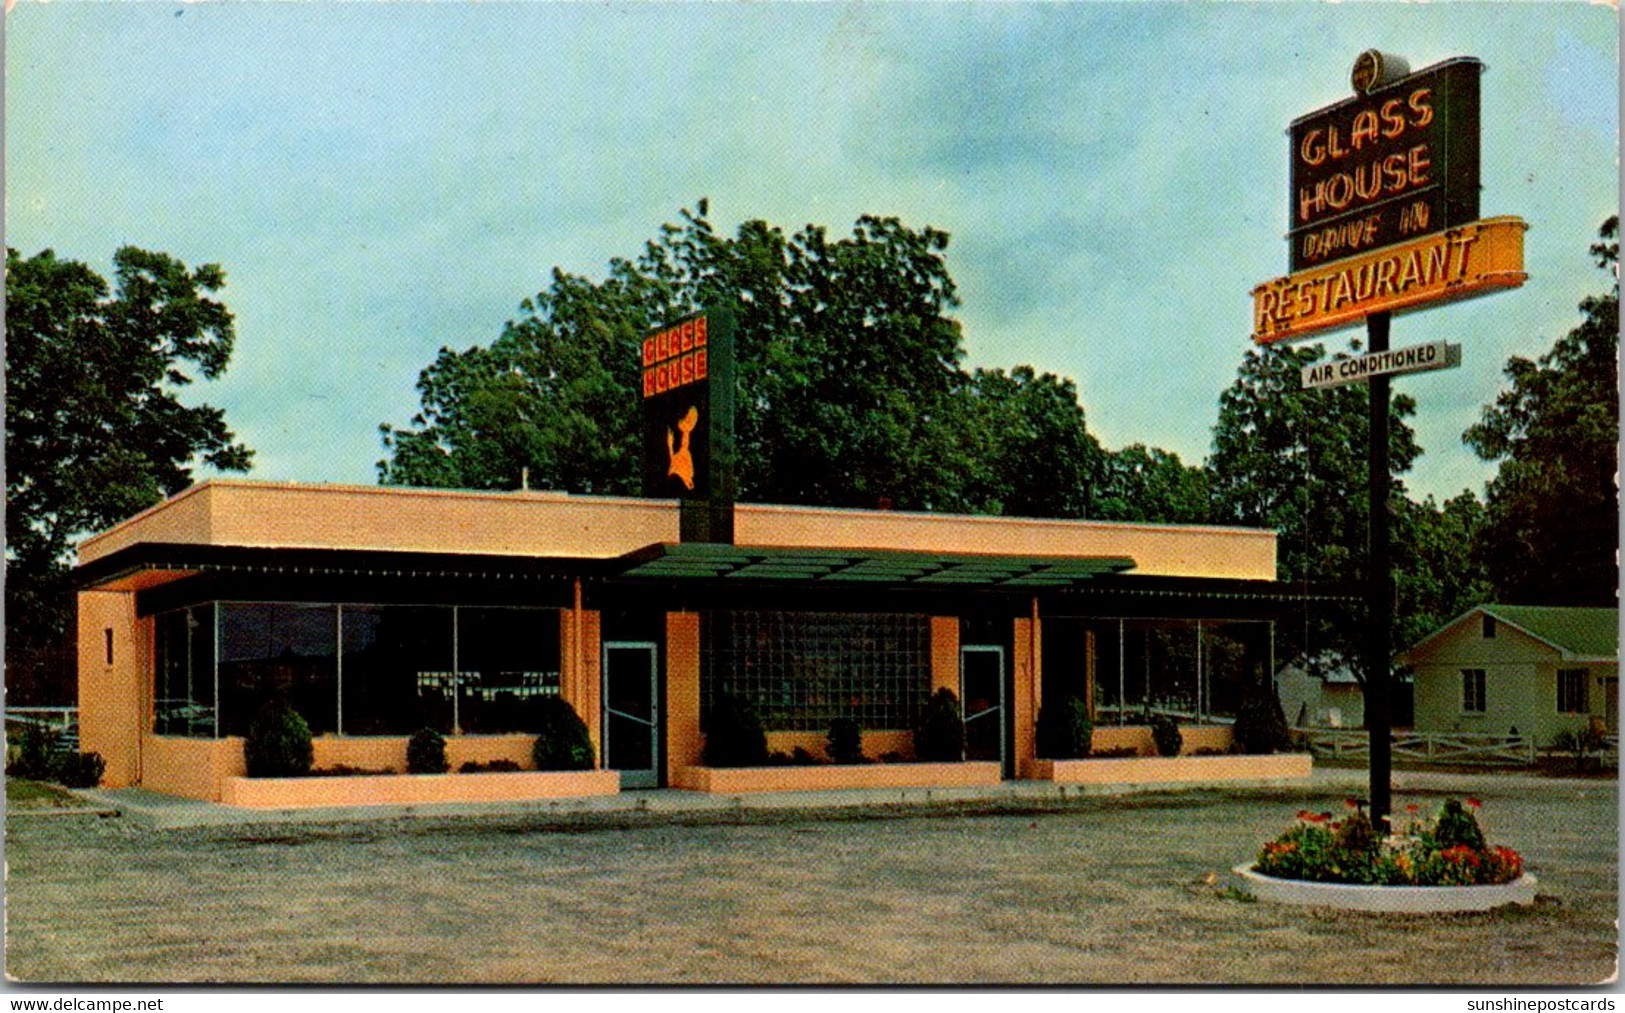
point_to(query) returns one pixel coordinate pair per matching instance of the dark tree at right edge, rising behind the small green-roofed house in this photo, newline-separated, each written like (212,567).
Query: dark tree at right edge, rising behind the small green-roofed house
(1551,533)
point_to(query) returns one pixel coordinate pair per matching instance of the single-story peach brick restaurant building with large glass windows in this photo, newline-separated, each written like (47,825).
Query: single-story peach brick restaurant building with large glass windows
(384,611)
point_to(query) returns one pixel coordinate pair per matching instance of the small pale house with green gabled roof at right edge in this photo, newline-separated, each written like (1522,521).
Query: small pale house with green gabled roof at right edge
(1527,669)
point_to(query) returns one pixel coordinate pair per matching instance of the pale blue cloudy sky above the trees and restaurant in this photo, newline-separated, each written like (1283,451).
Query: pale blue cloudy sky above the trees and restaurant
(384,180)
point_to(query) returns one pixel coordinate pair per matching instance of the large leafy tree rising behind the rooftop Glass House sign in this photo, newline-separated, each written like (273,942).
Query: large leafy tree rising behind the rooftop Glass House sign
(849,372)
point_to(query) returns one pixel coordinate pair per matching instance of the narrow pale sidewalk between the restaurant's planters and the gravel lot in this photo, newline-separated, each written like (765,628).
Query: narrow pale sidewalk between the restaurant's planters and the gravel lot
(171,812)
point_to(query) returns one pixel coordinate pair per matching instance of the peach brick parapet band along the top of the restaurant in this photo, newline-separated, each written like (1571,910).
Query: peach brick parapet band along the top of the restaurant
(560,526)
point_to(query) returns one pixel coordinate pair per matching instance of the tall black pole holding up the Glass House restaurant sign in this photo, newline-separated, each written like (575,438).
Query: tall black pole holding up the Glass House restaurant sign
(1380,591)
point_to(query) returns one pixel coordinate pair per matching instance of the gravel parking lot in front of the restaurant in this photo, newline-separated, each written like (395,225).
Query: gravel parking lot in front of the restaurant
(1107,890)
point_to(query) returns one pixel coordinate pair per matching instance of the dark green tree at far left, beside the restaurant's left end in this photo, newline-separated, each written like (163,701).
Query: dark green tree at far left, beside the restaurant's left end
(95,428)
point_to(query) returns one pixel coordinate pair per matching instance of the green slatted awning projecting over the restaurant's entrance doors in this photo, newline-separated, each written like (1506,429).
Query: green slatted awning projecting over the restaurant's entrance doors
(864,567)
